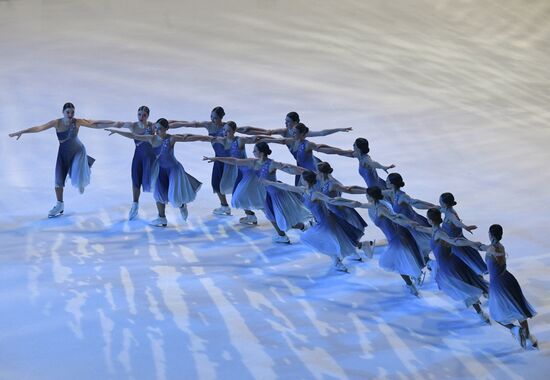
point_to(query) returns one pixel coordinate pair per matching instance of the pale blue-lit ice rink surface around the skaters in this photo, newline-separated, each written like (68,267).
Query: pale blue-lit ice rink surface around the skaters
(455,93)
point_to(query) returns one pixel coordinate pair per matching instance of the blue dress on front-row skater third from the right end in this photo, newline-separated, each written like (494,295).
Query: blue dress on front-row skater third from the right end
(402,254)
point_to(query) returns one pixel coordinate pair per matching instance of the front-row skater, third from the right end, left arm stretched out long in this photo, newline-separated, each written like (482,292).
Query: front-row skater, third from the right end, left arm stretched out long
(402,254)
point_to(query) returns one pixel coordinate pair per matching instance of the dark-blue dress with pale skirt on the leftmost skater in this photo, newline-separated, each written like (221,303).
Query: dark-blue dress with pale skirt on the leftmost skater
(72,159)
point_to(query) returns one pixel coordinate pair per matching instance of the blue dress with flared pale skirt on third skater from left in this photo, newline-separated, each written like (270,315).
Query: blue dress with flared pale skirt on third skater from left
(170,181)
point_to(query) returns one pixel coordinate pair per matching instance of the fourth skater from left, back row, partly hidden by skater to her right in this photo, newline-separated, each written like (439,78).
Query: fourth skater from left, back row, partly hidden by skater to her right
(215,129)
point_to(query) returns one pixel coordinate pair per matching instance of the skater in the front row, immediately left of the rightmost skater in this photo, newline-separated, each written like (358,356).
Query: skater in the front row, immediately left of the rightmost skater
(453,276)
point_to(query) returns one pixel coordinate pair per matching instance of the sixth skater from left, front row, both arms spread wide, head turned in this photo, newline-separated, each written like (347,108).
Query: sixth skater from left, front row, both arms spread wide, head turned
(283,210)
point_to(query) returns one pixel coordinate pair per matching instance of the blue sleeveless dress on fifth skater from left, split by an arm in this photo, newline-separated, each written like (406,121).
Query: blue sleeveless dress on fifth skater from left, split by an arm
(248,192)
